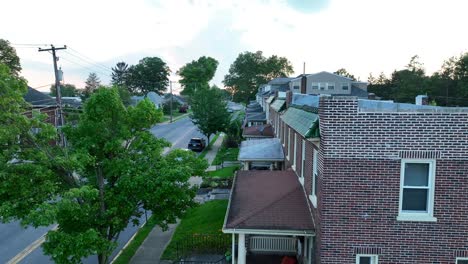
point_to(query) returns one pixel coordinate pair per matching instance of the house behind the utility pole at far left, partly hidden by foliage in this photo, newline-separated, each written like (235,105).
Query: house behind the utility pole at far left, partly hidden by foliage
(42,103)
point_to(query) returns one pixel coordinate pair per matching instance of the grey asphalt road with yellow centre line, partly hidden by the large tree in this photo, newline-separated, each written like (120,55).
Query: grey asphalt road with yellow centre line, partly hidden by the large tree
(14,239)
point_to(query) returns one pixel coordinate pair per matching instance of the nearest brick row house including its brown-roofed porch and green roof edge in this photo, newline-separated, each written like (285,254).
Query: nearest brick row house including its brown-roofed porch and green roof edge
(384,182)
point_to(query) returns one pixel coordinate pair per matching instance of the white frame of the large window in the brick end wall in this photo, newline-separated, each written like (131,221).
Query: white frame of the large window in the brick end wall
(427,216)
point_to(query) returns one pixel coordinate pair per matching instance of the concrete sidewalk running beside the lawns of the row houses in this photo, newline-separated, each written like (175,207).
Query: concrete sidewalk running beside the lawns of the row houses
(153,246)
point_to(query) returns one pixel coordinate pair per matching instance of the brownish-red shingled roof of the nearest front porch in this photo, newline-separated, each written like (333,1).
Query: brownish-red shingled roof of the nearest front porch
(268,200)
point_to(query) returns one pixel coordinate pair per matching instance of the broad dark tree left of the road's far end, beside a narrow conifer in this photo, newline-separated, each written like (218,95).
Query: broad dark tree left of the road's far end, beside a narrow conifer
(150,74)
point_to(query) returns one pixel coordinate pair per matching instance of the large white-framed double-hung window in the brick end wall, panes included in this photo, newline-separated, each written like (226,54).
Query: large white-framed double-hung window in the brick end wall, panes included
(417,190)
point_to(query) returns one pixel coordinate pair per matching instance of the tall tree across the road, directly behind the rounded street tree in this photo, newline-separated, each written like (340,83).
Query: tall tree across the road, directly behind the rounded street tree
(196,74)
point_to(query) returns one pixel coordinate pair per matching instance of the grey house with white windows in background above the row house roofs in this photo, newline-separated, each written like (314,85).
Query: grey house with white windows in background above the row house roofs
(328,83)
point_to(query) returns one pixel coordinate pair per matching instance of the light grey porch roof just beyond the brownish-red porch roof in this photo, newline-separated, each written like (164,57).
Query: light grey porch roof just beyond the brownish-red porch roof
(268,149)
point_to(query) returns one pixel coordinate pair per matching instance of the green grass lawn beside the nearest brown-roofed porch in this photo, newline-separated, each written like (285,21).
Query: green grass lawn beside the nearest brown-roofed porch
(207,218)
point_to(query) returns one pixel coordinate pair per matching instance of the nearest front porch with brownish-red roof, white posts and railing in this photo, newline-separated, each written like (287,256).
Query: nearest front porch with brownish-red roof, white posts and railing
(269,218)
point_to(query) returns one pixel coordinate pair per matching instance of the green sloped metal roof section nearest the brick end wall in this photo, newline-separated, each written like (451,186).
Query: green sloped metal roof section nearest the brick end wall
(303,122)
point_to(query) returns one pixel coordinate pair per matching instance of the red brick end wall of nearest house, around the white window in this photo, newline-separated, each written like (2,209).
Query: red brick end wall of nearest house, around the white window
(359,184)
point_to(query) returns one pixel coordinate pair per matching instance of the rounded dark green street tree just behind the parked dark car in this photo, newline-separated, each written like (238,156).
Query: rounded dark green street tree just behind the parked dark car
(209,111)
